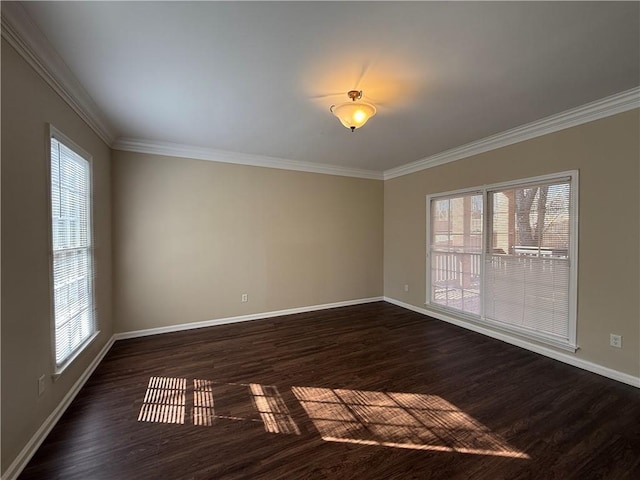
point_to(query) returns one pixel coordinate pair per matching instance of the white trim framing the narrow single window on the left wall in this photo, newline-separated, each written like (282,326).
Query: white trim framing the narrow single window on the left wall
(53,132)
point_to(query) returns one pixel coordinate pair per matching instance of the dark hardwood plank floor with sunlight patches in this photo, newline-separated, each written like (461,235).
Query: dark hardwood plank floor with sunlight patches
(365,392)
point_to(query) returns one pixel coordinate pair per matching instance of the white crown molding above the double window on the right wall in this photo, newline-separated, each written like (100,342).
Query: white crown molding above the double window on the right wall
(606,107)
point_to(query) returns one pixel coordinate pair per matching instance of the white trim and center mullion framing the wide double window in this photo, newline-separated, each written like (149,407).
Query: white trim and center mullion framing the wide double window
(571,343)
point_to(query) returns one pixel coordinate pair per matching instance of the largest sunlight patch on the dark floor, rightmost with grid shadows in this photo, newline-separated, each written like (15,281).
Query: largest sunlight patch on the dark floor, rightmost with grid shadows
(400,420)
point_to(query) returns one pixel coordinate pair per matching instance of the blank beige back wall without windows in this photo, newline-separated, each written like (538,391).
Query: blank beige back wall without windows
(191,236)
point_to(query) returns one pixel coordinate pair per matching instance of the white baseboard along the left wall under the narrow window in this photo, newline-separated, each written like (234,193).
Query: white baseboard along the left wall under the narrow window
(36,440)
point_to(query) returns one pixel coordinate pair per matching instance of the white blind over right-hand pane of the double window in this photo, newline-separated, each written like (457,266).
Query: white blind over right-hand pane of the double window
(527,267)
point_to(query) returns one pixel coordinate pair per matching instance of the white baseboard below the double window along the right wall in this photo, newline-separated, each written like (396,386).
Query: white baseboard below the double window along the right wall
(505,337)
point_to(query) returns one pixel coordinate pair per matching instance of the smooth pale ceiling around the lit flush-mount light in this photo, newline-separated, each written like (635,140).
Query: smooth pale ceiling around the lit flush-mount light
(258,78)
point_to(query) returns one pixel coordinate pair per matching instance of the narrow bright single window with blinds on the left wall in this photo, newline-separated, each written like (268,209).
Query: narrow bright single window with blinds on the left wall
(72,249)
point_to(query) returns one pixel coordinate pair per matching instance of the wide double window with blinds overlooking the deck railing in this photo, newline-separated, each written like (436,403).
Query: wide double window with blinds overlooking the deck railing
(503,255)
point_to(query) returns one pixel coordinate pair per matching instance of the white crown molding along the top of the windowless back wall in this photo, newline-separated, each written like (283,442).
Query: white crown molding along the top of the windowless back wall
(223,156)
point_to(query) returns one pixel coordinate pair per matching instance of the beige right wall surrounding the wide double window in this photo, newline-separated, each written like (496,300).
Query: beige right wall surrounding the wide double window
(607,154)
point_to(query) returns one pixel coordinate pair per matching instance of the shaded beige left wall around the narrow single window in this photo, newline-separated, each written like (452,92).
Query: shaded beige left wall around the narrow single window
(28,104)
